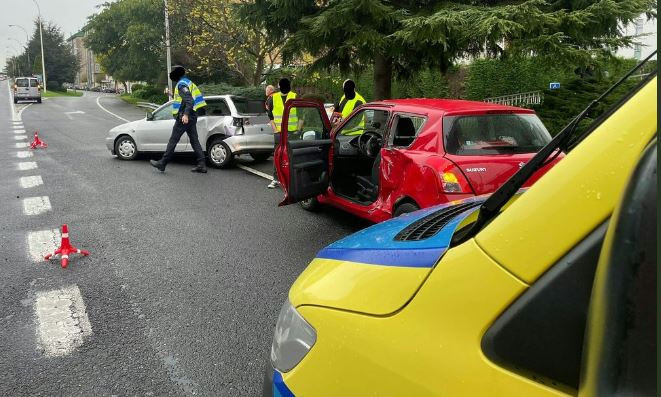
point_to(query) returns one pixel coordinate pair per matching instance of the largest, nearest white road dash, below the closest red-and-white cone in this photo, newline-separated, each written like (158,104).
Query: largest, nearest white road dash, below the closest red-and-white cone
(62,321)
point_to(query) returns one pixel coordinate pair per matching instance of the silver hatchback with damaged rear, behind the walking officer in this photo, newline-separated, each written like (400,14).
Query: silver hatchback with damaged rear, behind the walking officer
(228,126)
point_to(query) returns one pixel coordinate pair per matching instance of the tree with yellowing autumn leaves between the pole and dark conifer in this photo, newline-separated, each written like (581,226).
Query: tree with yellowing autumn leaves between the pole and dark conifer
(222,43)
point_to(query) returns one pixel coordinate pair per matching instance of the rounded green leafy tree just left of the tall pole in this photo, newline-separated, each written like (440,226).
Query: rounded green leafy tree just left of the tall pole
(128,36)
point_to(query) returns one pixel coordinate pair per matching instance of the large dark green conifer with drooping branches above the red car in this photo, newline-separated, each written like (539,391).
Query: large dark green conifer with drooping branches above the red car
(400,37)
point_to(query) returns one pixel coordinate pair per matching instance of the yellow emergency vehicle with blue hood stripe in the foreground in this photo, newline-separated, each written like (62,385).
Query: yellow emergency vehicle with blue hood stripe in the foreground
(546,293)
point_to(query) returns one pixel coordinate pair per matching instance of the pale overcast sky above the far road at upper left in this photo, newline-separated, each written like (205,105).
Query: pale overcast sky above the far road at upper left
(69,15)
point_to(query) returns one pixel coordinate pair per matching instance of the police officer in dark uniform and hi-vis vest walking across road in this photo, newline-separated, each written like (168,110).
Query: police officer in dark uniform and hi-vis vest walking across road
(188,101)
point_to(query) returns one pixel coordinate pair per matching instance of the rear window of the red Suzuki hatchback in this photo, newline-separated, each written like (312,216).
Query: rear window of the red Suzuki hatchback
(494,134)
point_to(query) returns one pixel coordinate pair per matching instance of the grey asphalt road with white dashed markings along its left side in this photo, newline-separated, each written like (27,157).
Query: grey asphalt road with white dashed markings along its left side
(186,275)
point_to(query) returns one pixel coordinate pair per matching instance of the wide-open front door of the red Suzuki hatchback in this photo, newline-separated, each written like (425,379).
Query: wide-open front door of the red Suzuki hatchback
(302,158)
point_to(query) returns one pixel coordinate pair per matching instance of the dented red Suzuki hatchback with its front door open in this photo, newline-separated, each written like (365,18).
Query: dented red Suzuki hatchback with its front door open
(397,156)
